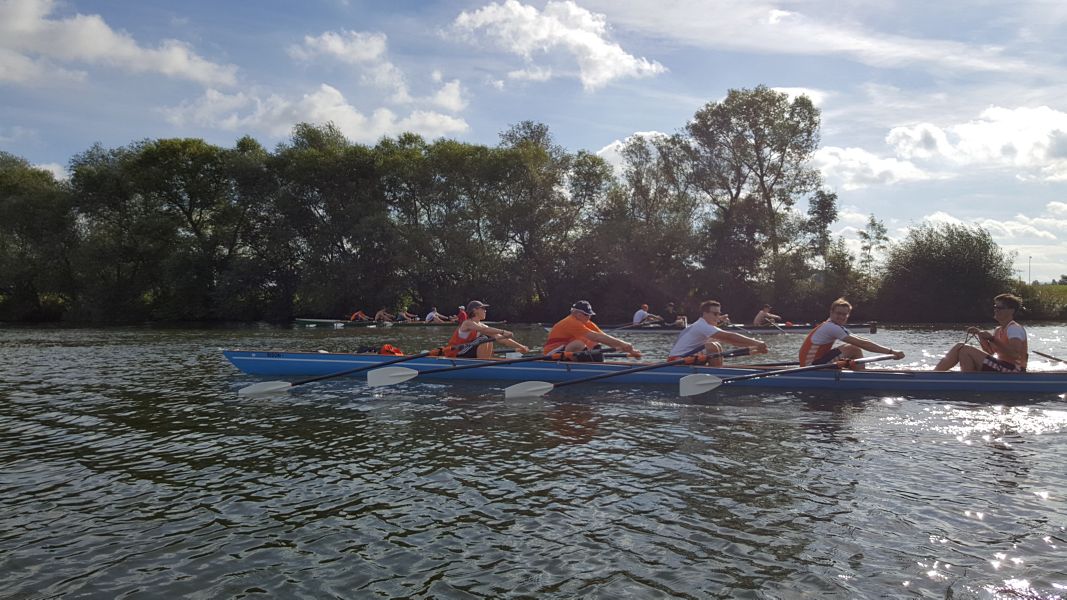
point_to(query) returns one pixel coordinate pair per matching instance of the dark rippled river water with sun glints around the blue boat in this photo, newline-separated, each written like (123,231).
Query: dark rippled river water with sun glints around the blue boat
(130,468)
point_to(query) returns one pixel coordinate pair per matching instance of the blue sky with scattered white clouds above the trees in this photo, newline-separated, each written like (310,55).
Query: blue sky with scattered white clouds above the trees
(932,113)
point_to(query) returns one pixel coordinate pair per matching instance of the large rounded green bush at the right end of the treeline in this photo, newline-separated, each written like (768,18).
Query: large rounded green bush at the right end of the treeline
(946,274)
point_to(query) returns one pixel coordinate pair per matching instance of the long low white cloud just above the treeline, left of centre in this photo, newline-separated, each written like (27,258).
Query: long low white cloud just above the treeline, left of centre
(276,116)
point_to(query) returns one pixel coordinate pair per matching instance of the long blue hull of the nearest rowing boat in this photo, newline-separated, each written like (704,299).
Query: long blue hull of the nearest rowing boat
(306,365)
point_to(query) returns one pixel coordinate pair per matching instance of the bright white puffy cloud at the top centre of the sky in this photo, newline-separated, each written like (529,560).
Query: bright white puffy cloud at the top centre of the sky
(563,27)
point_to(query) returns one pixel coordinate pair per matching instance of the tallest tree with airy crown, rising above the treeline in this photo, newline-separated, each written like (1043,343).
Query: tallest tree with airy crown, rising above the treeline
(752,163)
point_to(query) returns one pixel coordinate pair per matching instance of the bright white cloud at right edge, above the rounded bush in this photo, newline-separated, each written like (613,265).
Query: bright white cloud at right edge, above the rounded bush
(1032,140)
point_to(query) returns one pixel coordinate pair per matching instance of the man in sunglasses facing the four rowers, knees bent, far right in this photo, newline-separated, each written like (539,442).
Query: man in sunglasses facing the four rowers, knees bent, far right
(1004,351)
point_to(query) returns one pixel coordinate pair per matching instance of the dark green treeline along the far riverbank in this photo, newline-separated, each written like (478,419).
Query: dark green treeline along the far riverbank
(727,209)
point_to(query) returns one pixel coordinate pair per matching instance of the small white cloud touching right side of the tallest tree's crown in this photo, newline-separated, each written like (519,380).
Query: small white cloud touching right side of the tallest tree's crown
(854,169)
